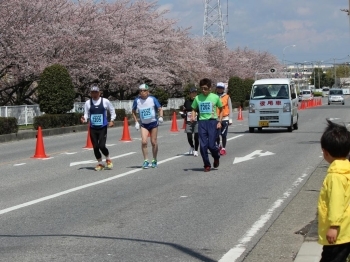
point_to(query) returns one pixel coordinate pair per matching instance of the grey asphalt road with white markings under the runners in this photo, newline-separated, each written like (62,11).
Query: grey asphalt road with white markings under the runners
(60,209)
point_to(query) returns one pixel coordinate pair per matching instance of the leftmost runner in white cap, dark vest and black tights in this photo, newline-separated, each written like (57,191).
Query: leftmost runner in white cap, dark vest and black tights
(95,110)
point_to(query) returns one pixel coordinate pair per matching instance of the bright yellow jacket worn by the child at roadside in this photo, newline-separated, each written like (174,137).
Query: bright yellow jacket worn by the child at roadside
(333,202)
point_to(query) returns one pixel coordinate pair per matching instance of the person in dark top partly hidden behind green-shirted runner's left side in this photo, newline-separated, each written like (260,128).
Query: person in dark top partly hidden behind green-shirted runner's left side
(191,127)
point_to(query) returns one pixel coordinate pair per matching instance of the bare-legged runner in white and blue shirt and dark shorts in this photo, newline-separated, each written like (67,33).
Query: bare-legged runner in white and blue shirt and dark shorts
(148,108)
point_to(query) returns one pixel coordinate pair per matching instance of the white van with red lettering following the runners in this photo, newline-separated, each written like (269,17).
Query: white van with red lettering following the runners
(273,103)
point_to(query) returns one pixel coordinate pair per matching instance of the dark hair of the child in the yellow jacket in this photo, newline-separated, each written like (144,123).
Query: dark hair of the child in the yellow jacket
(336,140)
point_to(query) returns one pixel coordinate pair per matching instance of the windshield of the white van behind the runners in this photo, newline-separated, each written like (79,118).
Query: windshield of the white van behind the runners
(270,92)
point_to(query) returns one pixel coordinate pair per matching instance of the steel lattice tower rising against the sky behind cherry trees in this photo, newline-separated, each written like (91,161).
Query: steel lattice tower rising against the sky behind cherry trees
(213,22)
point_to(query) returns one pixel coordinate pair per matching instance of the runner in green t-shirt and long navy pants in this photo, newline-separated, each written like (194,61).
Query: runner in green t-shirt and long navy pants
(209,123)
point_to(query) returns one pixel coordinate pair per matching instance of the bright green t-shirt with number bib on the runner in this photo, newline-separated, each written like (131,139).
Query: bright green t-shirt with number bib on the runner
(206,105)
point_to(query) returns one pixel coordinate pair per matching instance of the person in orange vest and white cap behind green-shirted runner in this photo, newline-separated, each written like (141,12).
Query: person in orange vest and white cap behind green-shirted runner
(226,116)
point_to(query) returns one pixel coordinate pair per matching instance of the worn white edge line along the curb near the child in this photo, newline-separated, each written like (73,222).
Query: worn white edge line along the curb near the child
(234,253)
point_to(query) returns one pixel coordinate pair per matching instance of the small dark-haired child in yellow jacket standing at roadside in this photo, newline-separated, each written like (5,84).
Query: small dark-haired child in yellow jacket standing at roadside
(334,199)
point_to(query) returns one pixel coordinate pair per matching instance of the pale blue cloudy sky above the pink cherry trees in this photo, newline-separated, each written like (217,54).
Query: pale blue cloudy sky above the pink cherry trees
(318,28)
